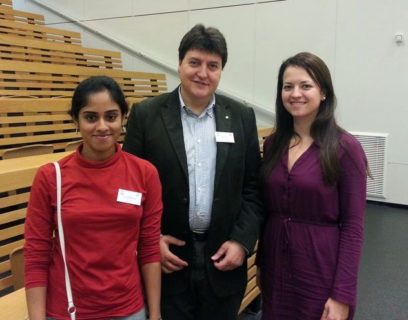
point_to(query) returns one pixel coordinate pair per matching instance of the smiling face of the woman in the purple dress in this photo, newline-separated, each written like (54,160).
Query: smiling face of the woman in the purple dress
(301,95)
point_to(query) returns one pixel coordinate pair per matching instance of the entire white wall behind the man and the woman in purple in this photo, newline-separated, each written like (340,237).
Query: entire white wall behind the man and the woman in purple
(355,38)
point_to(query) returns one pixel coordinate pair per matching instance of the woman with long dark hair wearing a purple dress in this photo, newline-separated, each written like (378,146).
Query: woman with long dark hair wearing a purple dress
(314,178)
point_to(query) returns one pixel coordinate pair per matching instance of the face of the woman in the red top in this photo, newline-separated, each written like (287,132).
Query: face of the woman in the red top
(100,124)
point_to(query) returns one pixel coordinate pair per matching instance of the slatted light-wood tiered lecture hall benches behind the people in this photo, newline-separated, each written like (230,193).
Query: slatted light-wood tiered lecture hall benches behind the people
(40,67)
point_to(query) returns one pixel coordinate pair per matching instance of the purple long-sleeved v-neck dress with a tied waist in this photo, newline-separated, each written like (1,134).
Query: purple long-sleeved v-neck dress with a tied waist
(312,239)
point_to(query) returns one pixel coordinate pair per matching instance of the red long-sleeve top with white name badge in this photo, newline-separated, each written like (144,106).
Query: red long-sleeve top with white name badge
(106,240)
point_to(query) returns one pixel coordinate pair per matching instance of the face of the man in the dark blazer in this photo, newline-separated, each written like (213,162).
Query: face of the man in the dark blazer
(200,74)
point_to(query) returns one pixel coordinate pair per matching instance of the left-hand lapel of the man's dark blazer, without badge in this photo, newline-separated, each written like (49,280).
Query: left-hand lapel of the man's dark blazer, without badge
(172,121)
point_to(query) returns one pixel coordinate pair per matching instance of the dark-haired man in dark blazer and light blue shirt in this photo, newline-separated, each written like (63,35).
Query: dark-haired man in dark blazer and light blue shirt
(205,147)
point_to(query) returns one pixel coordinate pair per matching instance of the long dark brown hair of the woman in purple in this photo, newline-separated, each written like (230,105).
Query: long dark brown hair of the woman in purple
(324,129)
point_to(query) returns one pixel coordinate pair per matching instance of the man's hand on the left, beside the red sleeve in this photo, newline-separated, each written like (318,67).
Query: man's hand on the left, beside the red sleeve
(169,261)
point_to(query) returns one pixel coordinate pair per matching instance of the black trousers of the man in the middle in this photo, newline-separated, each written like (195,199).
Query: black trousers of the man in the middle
(199,301)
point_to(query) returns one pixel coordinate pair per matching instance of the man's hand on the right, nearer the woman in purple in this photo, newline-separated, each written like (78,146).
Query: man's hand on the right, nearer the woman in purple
(229,256)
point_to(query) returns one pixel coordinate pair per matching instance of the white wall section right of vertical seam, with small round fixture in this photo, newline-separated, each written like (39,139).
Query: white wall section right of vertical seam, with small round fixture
(372,80)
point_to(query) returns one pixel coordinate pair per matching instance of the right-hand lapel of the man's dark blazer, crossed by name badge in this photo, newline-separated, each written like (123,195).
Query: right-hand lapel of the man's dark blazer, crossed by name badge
(223,124)
